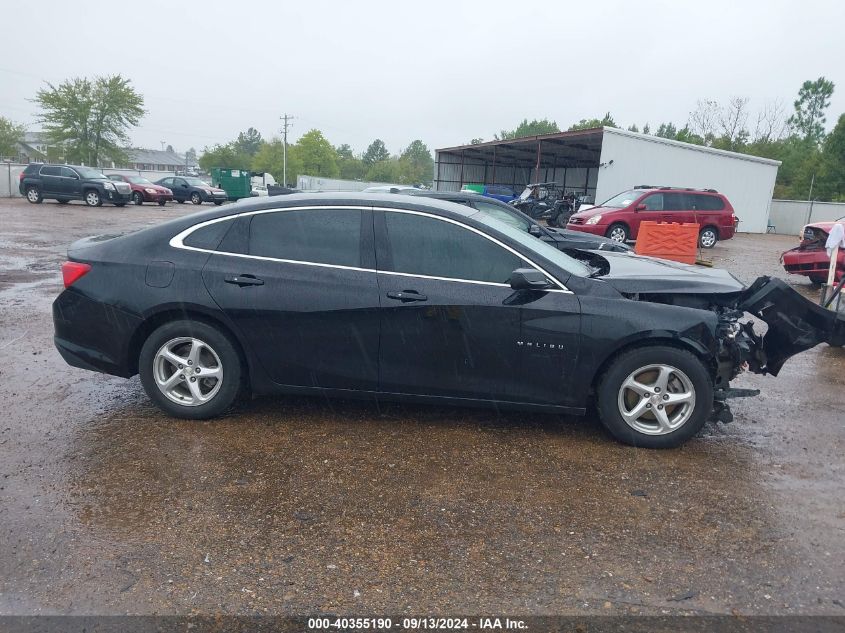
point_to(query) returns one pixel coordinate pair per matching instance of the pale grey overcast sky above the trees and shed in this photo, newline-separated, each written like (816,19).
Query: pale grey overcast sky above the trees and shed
(444,72)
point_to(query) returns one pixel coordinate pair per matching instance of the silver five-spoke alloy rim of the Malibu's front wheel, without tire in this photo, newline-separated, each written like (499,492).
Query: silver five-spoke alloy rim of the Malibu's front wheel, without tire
(656,399)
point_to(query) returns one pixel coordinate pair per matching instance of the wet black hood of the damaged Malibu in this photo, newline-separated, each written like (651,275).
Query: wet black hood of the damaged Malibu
(631,273)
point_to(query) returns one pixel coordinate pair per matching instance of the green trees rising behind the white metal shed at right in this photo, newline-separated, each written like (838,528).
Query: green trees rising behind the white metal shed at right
(809,157)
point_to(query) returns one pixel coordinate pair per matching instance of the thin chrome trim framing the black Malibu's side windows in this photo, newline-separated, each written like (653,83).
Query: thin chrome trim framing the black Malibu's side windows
(177,241)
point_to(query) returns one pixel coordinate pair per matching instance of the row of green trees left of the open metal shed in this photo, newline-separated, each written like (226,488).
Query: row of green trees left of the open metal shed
(314,155)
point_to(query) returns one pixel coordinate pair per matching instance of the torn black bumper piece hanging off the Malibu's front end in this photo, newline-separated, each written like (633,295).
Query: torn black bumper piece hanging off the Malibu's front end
(795,323)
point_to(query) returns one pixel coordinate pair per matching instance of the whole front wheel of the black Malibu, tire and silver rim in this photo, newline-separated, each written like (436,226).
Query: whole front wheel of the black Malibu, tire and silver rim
(682,373)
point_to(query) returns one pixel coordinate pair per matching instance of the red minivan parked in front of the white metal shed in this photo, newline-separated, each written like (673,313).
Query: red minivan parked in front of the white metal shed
(619,218)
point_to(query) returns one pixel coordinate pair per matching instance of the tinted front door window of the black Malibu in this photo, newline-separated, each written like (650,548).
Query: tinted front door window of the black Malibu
(421,245)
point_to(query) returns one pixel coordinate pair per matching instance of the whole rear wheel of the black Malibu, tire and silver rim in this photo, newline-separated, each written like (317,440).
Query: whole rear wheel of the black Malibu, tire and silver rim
(201,346)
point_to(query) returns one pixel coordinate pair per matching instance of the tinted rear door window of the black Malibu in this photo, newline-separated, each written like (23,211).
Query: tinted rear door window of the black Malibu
(320,236)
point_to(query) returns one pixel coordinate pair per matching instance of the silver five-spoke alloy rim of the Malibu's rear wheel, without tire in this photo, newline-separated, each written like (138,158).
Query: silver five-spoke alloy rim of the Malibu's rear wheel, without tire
(188,371)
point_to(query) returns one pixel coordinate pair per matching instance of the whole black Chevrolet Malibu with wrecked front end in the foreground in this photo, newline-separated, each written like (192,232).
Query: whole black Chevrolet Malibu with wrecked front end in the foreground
(413,299)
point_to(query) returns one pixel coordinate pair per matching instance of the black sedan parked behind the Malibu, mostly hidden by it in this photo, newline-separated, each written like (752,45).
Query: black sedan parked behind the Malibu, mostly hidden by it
(562,239)
